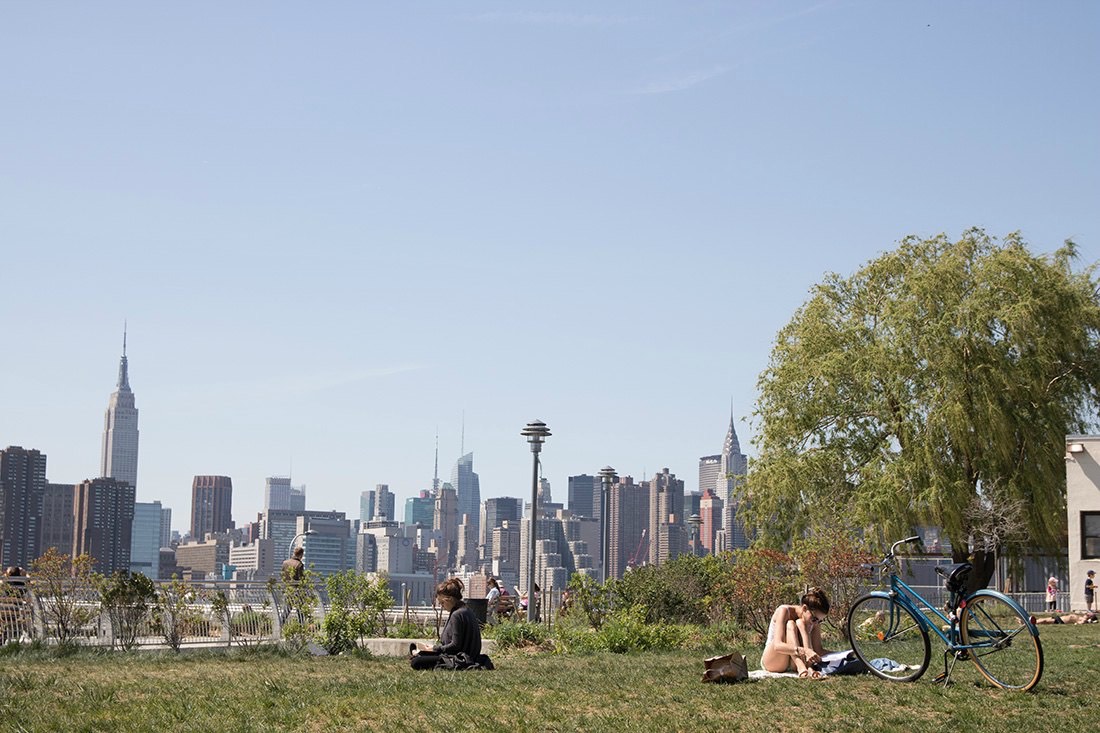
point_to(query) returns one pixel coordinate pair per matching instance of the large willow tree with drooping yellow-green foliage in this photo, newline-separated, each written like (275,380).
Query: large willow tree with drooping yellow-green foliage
(932,388)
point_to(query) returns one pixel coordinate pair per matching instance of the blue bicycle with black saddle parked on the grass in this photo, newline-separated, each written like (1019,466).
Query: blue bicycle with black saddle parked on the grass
(889,631)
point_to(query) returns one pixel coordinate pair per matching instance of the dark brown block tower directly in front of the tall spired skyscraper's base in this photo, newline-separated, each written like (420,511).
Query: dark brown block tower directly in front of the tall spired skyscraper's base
(103,523)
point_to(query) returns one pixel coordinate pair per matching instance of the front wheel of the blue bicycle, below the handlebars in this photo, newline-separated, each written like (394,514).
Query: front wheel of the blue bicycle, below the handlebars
(888,639)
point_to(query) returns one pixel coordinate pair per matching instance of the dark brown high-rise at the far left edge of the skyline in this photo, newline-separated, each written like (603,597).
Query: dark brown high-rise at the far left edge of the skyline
(23,494)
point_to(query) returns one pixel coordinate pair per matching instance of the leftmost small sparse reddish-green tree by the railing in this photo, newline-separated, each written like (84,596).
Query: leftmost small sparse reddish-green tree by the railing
(67,594)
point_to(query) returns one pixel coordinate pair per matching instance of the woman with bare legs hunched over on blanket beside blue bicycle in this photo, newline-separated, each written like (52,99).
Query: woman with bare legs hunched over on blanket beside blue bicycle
(795,637)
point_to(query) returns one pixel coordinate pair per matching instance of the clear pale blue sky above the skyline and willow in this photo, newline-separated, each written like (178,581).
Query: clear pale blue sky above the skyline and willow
(336,227)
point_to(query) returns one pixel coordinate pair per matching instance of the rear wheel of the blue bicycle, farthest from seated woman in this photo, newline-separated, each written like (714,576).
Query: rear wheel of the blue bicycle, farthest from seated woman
(1004,646)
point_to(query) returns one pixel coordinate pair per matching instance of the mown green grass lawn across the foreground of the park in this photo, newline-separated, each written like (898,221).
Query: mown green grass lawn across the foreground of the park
(270,692)
